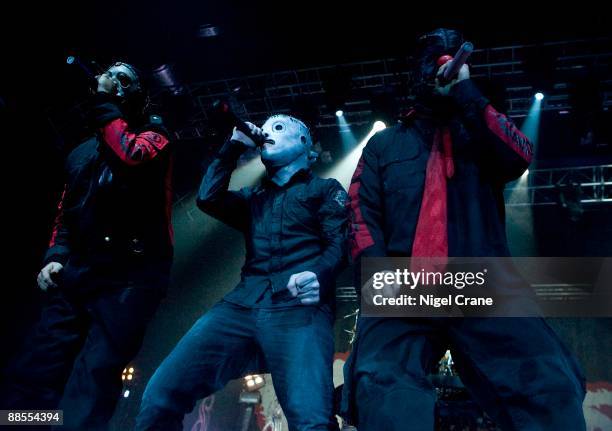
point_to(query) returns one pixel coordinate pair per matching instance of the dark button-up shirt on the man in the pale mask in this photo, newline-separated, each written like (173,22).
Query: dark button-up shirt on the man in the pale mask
(298,227)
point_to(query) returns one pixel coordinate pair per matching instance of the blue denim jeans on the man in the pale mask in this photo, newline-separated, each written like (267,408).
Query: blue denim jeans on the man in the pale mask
(295,344)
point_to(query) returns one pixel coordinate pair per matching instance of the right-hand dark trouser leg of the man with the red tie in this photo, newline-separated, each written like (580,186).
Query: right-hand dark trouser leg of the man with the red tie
(520,372)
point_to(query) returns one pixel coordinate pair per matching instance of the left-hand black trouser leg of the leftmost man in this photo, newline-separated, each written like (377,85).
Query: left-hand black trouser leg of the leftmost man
(37,376)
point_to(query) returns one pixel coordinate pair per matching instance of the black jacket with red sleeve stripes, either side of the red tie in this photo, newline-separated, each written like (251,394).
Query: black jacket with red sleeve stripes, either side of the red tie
(387,188)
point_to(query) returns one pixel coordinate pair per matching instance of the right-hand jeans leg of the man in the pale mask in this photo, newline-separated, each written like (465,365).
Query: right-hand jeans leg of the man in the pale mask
(298,345)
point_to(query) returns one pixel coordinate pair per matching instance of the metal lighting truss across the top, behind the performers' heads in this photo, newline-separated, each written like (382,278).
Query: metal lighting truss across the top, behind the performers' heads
(257,96)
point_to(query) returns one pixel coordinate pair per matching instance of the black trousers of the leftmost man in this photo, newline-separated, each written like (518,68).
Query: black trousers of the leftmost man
(75,357)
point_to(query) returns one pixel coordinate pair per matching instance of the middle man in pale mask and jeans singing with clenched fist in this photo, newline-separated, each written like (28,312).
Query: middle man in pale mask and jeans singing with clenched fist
(279,317)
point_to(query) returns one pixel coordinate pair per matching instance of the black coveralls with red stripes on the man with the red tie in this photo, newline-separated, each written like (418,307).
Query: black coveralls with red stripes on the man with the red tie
(516,368)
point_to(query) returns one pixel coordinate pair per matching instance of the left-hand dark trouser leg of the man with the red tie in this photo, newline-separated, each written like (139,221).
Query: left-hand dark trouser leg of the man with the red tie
(386,381)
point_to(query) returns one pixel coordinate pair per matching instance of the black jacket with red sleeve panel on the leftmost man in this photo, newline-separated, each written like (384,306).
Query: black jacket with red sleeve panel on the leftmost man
(113,219)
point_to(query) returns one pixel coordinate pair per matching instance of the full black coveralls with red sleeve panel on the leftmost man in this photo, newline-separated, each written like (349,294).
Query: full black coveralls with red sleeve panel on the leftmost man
(114,238)
